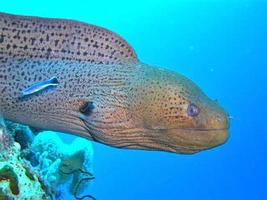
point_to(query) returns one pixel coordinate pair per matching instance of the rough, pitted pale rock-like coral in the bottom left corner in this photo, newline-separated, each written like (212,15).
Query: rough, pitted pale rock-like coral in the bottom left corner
(16,182)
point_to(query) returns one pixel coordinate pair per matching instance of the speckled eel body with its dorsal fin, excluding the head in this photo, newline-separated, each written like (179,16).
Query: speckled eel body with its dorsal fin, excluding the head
(88,61)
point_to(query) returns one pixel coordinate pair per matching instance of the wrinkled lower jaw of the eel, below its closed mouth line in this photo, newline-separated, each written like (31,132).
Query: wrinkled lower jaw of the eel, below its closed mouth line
(181,141)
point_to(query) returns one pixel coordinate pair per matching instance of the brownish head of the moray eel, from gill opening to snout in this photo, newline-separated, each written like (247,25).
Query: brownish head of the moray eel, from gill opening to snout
(163,111)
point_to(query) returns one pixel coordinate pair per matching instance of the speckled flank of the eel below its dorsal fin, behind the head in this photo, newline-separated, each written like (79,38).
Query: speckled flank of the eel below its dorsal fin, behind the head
(79,82)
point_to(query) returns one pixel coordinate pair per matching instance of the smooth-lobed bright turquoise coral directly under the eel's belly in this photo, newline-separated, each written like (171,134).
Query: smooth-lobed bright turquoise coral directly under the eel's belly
(62,165)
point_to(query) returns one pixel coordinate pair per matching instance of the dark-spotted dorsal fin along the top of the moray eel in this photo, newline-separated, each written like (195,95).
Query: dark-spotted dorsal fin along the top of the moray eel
(62,39)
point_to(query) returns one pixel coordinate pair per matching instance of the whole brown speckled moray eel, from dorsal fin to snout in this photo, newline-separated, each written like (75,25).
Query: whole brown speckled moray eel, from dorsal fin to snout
(104,92)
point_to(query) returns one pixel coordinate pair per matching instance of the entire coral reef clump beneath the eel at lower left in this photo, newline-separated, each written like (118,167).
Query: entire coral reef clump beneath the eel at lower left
(42,166)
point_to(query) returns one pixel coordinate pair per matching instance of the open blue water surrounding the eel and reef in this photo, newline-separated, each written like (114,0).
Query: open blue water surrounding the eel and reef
(223,48)
